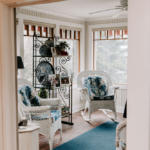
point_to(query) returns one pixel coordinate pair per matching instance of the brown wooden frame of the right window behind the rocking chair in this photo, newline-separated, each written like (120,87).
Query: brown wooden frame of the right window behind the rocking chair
(122,38)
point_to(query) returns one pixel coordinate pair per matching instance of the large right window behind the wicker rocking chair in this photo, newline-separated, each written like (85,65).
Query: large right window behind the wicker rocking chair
(110,53)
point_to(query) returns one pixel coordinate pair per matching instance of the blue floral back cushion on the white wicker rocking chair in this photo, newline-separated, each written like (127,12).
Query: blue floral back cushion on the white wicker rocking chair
(96,86)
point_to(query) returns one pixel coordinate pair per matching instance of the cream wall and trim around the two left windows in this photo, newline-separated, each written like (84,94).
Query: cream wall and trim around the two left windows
(27,14)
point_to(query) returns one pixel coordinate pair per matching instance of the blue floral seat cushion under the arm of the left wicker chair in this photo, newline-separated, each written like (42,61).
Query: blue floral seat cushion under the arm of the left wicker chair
(55,114)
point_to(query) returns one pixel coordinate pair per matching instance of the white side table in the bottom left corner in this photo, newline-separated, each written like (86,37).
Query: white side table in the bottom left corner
(29,137)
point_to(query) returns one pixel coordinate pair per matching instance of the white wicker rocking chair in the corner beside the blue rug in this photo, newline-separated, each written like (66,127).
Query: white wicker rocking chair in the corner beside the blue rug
(94,105)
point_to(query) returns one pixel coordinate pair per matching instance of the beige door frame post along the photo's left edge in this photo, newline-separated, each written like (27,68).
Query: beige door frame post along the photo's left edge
(8,76)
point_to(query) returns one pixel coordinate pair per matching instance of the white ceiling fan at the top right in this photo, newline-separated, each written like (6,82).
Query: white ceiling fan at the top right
(122,8)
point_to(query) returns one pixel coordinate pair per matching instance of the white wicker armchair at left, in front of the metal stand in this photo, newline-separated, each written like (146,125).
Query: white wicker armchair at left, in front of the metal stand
(47,126)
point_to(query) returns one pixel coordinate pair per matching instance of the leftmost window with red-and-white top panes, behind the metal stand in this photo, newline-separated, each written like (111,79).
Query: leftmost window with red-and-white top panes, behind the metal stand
(29,31)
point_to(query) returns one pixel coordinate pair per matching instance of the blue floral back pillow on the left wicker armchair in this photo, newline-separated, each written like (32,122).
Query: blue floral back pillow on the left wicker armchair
(28,97)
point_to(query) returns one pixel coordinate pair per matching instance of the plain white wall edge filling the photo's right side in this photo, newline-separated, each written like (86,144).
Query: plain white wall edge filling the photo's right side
(138,96)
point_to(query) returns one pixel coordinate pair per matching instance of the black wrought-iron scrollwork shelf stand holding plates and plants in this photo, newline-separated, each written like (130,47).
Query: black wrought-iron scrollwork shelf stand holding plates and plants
(65,91)
